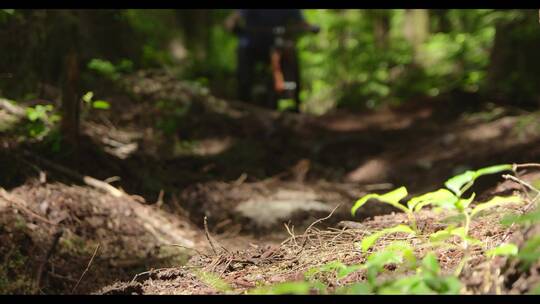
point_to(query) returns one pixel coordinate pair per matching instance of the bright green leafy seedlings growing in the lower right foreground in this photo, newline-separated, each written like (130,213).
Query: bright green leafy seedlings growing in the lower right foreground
(427,278)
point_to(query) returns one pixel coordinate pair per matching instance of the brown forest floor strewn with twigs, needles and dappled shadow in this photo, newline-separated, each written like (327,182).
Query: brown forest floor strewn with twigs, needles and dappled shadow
(233,190)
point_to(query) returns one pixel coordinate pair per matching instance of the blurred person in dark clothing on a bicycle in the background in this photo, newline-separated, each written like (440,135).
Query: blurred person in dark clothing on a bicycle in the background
(256,31)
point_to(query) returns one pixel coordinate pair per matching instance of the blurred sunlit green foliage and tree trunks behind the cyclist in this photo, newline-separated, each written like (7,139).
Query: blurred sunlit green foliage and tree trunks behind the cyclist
(360,59)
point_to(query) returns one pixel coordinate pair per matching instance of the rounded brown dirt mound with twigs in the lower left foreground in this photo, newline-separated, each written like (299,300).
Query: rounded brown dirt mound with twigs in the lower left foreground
(130,236)
